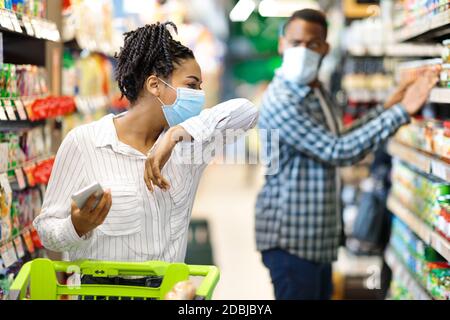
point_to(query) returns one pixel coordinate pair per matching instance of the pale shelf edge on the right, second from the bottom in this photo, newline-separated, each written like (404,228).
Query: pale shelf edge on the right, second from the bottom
(420,228)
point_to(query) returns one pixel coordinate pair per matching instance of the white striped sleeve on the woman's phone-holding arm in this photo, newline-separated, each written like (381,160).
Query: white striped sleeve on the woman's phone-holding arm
(54,224)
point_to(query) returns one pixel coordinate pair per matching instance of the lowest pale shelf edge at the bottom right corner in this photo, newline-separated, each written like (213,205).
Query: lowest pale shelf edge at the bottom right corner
(406,277)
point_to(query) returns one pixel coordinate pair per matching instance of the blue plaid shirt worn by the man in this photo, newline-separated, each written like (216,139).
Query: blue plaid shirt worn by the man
(297,208)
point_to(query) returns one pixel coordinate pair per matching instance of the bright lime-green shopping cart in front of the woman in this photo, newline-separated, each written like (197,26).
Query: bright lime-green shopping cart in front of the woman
(37,280)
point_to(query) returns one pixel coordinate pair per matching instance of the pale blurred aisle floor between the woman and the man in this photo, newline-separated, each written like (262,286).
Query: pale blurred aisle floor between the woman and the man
(226,197)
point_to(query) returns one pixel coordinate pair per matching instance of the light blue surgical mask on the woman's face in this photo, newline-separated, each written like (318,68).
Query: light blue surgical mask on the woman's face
(189,103)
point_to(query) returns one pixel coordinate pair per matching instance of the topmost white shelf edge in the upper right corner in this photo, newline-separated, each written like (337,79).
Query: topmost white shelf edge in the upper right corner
(426,28)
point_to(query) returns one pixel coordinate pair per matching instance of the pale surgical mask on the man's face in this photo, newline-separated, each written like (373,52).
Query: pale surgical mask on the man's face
(300,65)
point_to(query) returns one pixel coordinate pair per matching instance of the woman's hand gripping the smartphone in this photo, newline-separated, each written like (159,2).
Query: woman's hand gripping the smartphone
(90,217)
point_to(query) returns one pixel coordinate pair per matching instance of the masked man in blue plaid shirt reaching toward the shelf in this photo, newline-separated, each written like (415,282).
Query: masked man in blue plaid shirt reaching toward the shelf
(298,214)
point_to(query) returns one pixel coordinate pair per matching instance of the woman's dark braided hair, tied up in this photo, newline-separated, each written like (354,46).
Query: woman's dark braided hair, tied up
(148,50)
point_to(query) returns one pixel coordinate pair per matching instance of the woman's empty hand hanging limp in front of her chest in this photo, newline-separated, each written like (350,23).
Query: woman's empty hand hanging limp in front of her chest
(159,157)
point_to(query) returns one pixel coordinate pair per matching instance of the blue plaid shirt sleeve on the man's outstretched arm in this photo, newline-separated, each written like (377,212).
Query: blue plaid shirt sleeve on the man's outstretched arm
(313,139)
